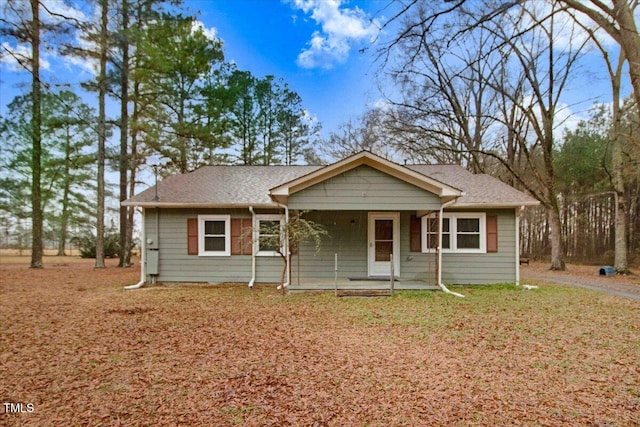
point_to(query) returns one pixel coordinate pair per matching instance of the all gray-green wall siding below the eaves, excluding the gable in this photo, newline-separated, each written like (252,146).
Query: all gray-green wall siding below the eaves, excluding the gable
(347,237)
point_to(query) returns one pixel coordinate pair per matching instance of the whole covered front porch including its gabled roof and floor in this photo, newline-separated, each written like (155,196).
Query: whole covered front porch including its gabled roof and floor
(372,210)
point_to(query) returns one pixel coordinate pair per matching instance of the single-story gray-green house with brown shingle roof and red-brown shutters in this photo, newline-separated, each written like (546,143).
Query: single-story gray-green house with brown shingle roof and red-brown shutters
(435,223)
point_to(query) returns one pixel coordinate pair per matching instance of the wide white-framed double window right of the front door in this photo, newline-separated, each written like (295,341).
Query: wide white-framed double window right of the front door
(461,232)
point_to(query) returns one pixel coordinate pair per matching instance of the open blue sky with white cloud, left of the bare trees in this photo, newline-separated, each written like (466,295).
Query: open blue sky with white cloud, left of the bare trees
(312,44)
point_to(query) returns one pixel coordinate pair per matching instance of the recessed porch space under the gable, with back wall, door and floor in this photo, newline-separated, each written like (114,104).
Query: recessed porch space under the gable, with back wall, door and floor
(363,250)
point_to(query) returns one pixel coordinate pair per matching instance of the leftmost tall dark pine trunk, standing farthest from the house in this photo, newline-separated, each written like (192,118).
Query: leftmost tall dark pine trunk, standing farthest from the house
(37,247)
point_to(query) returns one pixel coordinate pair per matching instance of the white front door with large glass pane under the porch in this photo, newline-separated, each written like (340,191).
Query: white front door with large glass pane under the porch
(384,240)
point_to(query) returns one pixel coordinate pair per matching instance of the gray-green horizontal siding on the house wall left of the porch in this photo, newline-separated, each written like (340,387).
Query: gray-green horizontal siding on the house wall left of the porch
(176,266)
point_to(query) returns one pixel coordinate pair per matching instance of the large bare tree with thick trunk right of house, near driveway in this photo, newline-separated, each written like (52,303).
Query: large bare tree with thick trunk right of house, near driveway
(486,106)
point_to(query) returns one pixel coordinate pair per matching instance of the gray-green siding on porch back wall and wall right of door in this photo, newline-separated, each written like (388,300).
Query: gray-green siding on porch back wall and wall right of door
(349,241)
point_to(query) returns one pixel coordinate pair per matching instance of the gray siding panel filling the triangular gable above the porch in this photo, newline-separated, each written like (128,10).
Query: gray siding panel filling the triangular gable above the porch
(364,188)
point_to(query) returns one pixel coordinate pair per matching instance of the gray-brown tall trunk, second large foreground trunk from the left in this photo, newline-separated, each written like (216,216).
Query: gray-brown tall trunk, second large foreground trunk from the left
(102,135)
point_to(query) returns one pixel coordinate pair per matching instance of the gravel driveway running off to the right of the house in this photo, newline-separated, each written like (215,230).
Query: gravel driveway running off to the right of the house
(607,285)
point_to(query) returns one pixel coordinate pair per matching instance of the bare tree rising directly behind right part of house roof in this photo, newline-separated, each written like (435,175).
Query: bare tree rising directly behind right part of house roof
(448,105)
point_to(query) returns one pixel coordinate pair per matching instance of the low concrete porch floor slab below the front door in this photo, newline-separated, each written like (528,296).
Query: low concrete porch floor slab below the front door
(322,284)
